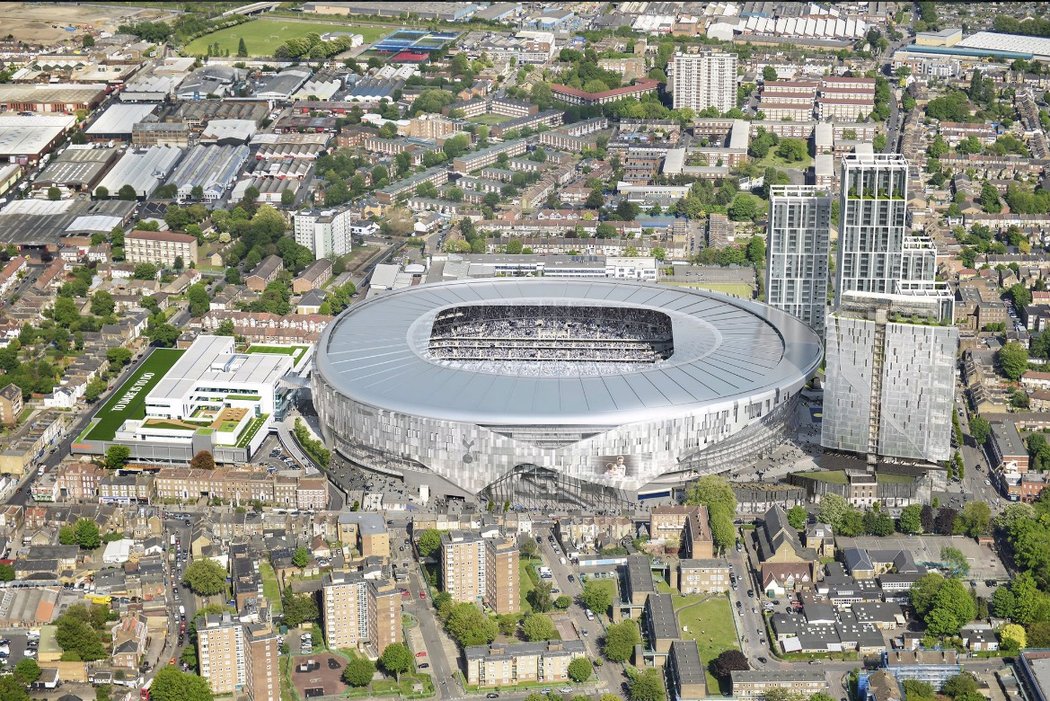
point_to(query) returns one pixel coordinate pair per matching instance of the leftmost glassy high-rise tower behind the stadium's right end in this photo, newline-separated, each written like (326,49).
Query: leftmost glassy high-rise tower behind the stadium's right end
(797,248)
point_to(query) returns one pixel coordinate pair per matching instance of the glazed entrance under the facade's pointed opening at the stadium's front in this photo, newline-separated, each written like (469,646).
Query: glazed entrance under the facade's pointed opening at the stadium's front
(532,487)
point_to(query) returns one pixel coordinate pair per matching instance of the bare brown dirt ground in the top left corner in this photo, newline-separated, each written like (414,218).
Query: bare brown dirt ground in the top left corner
(46,24)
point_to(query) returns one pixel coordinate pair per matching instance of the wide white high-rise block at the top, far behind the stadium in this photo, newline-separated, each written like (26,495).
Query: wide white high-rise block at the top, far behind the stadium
(708,79)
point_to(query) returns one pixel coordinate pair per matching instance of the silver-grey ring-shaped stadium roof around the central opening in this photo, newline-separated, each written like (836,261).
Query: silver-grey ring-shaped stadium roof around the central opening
(725,350)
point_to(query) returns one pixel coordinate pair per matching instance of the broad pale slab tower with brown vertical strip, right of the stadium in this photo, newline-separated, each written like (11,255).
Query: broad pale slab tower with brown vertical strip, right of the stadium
(890,381)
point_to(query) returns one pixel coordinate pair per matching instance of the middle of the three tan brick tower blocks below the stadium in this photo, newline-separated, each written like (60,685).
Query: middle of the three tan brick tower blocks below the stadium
(359,612)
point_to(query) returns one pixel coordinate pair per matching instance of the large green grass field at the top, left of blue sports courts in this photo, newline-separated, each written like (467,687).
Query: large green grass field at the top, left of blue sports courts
(263,37)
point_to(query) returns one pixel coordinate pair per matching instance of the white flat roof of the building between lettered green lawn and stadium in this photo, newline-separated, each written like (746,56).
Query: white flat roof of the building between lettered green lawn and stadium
(212,360)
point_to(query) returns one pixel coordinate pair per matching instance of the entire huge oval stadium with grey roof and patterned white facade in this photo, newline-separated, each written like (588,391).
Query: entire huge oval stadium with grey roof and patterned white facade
(574,390)
